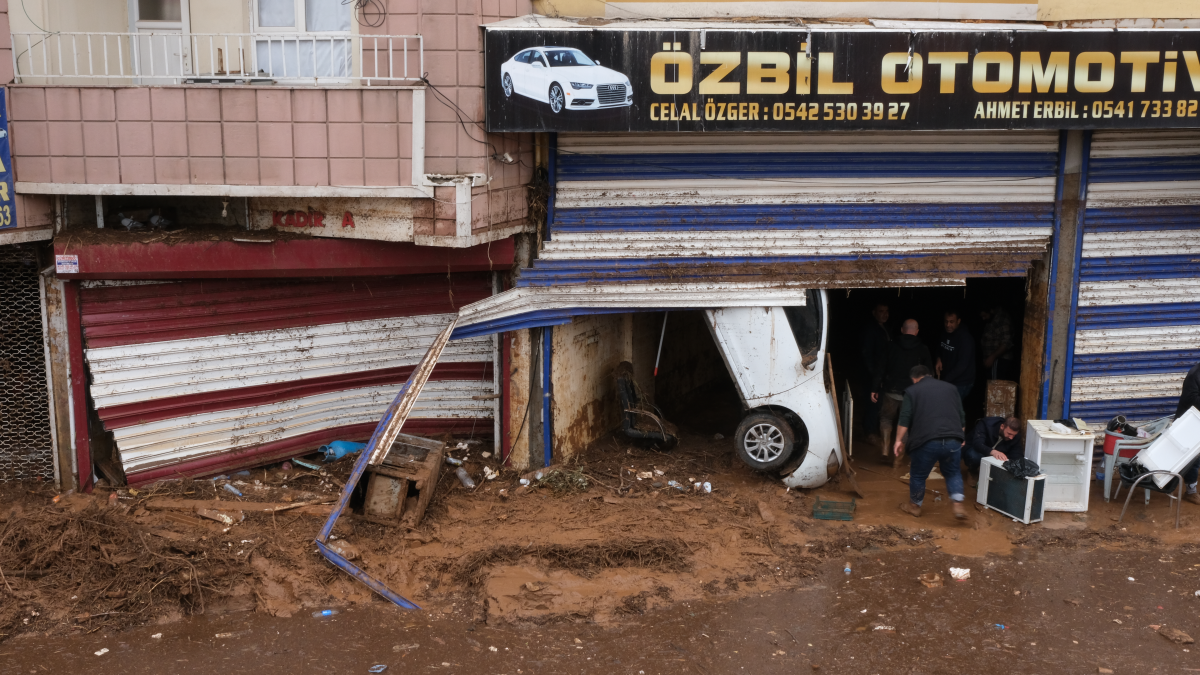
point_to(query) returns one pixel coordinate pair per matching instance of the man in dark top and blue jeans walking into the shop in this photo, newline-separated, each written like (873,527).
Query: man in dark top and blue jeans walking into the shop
(933,410)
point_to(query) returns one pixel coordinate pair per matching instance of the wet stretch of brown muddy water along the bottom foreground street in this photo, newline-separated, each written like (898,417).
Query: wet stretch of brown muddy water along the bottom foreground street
(1063,612)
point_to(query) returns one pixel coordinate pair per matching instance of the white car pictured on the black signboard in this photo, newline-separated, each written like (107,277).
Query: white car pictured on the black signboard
(566,79)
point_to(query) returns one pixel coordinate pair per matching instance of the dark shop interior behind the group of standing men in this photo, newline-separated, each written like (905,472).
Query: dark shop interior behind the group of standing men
(851,318)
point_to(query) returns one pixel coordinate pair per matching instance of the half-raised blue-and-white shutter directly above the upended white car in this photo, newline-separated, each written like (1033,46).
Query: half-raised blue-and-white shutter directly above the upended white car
(821,210)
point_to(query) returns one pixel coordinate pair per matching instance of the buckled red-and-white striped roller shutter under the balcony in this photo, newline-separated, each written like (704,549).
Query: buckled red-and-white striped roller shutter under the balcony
(196,378)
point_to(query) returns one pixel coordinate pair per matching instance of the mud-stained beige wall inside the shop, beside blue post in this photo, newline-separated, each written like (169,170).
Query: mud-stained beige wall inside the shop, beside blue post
(585,401)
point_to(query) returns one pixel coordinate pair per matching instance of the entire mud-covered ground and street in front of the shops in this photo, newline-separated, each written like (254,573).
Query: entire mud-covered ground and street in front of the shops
(637,570)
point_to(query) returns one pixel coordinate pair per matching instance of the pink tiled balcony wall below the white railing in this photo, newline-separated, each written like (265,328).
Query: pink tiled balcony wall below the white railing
(209,136)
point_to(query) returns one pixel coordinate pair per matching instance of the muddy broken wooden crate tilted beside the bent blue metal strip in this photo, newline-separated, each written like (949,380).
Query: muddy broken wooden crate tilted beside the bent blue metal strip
(400,488)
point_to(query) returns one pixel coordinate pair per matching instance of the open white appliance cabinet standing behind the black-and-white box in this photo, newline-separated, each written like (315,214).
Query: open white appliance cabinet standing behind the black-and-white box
(1066,459)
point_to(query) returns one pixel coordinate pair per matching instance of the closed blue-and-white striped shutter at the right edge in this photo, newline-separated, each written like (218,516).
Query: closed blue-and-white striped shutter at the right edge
(1138,324)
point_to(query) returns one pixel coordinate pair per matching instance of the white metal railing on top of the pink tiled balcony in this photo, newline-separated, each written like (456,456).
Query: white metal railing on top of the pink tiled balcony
(175,58)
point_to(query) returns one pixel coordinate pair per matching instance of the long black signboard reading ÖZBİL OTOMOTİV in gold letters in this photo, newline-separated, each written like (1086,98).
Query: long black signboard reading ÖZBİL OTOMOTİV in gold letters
(747,80)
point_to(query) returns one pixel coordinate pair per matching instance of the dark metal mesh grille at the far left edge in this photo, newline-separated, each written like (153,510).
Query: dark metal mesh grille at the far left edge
(26,446)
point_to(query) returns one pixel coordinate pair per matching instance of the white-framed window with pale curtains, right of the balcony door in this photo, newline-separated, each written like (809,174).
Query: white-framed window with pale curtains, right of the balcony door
(286,47)
